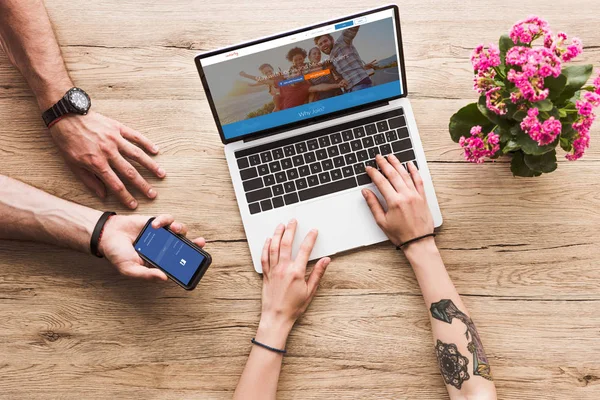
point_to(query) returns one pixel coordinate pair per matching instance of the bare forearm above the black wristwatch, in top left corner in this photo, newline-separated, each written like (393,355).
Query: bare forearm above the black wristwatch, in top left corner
(27,37)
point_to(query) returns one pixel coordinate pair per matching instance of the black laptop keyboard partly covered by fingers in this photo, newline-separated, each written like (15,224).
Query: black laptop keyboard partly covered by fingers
(319,163)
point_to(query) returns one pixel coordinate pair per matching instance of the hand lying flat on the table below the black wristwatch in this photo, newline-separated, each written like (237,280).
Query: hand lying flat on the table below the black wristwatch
(96,148)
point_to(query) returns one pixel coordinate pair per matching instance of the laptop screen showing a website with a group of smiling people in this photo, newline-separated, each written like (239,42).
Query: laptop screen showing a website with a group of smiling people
(304,75)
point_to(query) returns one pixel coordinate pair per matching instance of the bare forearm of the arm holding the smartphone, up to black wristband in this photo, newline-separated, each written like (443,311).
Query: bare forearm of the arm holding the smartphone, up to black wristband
(27,213)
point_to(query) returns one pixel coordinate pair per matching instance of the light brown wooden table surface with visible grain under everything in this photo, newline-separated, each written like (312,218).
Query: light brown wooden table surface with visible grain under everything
(523,253)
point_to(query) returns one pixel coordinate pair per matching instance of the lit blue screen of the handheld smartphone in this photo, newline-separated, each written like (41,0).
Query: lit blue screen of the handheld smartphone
(170,253)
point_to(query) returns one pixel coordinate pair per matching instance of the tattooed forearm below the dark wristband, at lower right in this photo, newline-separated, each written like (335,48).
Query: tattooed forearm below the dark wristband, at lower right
(461,358)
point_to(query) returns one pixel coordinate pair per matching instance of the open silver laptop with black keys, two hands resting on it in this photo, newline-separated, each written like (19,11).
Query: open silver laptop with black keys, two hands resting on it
(301,114)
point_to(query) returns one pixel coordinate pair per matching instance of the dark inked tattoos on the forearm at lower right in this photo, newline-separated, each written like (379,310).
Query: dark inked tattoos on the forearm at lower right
(445,311)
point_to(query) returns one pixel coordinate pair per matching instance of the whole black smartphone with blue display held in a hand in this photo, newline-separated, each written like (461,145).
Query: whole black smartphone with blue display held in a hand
(176,256)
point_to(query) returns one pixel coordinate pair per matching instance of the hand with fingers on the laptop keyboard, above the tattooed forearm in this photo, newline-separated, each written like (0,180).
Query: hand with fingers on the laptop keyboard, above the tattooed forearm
(407,214)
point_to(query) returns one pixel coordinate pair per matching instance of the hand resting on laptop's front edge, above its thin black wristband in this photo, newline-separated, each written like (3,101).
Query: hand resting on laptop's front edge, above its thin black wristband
(286,292)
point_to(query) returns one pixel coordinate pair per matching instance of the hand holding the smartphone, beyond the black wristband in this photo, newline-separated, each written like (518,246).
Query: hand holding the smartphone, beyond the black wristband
(117,240)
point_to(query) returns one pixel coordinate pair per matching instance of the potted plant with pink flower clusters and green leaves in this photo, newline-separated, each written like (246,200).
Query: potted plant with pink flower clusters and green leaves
(530,102)
